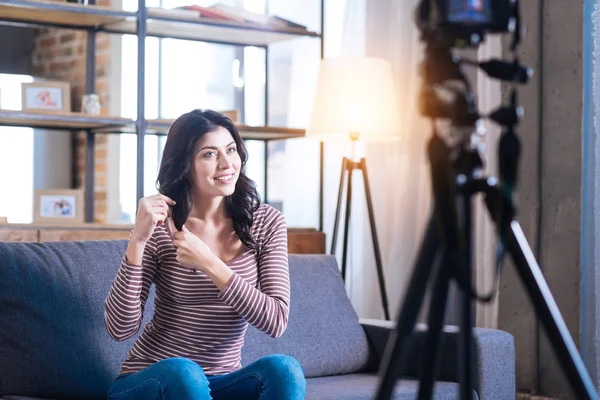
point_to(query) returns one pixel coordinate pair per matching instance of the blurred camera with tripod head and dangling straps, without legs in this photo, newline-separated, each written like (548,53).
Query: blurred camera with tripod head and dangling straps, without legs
(448,24)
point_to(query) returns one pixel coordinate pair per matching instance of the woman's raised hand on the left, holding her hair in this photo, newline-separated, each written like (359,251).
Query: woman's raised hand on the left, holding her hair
(152,211)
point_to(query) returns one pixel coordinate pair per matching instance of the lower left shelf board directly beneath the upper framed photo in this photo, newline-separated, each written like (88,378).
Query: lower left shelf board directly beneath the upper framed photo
(61,121)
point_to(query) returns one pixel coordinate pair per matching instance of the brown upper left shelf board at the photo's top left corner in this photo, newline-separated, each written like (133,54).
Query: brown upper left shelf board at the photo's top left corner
(45,12)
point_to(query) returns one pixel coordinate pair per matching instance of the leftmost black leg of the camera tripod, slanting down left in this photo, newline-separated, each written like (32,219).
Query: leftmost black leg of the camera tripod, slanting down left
(392,364)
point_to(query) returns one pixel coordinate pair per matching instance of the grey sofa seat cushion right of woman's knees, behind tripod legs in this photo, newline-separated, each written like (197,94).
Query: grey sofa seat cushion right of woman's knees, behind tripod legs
(364,387)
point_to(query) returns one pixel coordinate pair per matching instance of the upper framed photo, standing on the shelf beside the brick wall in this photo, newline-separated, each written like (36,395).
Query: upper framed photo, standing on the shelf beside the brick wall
(46,96)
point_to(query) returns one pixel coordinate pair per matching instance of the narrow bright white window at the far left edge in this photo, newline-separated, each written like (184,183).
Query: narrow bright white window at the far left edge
(16,167)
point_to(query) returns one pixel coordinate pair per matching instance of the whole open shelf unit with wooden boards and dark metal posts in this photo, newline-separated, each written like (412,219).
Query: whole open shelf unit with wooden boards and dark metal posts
(143,23)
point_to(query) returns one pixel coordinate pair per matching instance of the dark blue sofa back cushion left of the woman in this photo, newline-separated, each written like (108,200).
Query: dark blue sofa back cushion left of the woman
(53,342)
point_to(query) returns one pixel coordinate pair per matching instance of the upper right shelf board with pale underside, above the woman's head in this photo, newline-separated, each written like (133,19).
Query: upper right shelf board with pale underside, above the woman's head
(209,30)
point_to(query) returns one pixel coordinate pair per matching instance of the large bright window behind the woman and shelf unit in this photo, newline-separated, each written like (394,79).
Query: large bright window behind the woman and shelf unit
(183,75)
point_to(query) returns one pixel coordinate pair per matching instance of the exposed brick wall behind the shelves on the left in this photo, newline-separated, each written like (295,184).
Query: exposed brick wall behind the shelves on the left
(61,54)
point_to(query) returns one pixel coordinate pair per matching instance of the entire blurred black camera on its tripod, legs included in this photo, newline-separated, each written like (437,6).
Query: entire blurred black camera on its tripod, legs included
(446,249)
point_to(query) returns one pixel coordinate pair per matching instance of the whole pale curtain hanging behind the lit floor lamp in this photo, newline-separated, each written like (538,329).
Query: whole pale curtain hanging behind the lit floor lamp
(398,172)
